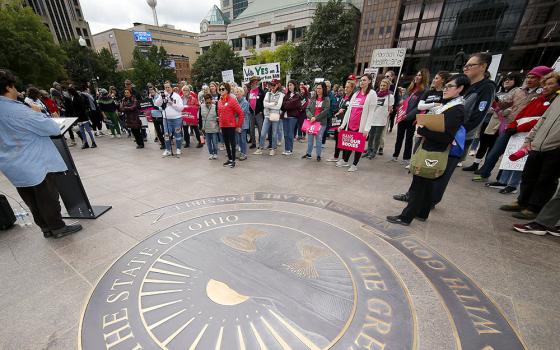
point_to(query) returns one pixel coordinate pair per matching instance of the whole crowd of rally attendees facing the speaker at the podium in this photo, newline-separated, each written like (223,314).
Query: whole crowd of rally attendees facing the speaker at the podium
(473,116)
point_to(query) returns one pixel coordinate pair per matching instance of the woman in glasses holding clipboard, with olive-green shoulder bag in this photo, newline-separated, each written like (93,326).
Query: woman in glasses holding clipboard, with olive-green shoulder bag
(430,160)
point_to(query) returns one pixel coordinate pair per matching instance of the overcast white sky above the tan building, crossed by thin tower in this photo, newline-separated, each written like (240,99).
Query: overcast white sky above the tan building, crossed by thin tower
(107,14)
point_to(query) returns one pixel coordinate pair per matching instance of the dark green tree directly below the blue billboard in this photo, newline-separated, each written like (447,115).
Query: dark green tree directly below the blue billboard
(151,67)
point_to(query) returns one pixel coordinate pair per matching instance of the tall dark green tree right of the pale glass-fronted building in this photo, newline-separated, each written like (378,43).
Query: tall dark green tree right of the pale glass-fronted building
(329,43)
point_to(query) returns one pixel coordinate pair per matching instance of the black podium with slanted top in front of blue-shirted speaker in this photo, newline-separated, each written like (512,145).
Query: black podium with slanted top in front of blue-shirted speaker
(69,184)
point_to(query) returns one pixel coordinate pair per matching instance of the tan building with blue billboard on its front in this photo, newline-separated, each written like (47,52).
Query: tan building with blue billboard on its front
(181,46)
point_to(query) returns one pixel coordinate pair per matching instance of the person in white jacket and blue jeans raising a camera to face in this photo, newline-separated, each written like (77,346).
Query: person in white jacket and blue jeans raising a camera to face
(172,106)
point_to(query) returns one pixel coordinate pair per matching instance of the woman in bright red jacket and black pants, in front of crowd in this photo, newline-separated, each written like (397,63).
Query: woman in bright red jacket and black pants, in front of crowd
(230,119)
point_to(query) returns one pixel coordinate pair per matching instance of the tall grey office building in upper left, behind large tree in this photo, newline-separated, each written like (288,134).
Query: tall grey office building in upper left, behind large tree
(64,18)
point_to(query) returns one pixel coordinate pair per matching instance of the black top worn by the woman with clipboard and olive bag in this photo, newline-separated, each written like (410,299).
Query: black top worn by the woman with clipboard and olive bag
(439,141)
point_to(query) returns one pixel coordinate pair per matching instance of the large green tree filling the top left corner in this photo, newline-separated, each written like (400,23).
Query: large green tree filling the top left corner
(28,48)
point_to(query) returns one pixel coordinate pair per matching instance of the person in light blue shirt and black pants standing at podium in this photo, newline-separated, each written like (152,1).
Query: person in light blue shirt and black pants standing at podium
(30,160)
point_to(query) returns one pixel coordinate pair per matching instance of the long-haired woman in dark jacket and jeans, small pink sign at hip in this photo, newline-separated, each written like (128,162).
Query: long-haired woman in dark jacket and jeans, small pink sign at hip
(317,111)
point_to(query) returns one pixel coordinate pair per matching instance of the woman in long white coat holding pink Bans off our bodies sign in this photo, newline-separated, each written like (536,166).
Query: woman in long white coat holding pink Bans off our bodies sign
(357,119)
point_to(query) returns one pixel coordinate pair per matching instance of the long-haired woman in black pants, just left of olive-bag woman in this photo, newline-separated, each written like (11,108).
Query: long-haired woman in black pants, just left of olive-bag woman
(405,127)
